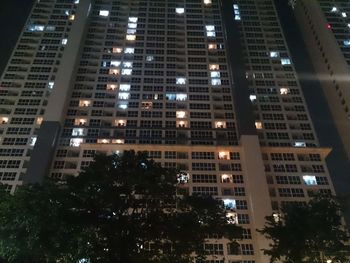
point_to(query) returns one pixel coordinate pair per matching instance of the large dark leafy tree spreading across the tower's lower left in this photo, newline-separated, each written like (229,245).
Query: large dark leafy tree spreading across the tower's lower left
(120,209)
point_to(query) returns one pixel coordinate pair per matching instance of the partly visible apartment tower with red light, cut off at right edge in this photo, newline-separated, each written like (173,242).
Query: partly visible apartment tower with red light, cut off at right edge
(325,25)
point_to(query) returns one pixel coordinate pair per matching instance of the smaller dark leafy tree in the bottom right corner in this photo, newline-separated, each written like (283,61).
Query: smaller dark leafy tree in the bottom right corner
(310,233)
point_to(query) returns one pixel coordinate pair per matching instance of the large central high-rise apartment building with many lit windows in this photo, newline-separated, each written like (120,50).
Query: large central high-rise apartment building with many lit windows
(205,86)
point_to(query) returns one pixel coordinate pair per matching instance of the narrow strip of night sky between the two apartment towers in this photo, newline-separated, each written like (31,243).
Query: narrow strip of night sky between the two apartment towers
(338,164)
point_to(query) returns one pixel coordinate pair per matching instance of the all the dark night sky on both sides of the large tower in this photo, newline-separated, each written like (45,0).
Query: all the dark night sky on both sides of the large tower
(13,14)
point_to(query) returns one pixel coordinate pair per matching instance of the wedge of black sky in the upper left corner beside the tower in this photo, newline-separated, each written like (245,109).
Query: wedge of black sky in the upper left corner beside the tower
(13,14)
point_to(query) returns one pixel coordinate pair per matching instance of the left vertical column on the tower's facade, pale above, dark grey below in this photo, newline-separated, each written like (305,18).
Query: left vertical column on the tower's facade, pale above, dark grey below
(48,135)
